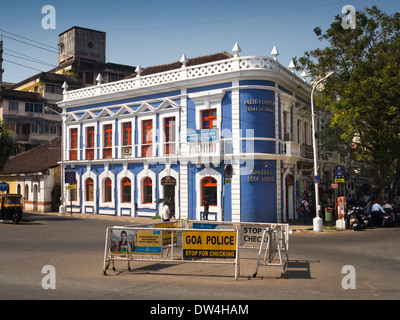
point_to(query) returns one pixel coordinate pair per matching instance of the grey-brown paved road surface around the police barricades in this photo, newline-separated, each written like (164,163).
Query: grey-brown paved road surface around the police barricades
(74,245)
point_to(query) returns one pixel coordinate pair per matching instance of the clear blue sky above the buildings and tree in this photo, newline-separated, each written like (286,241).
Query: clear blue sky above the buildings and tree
(154,32)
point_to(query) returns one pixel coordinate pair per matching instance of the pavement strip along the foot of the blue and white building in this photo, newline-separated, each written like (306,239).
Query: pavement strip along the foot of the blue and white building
(294,225)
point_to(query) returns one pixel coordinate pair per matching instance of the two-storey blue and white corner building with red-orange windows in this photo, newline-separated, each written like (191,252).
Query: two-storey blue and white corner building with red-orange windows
(233,130)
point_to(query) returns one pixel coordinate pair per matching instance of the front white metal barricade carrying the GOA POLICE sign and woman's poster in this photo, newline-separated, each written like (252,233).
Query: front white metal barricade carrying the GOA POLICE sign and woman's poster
(129,243)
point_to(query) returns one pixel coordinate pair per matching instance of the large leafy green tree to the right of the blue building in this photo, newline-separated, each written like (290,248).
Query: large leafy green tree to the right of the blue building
(363,99)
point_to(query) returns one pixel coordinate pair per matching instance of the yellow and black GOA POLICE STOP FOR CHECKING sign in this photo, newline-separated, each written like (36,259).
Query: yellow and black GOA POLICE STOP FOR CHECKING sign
(209,244)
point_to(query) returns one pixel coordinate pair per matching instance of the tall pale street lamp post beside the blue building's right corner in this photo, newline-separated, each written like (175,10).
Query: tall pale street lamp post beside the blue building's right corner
(317,223)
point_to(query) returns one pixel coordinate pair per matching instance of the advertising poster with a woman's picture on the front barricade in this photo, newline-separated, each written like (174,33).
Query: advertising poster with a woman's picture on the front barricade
(136,242)
